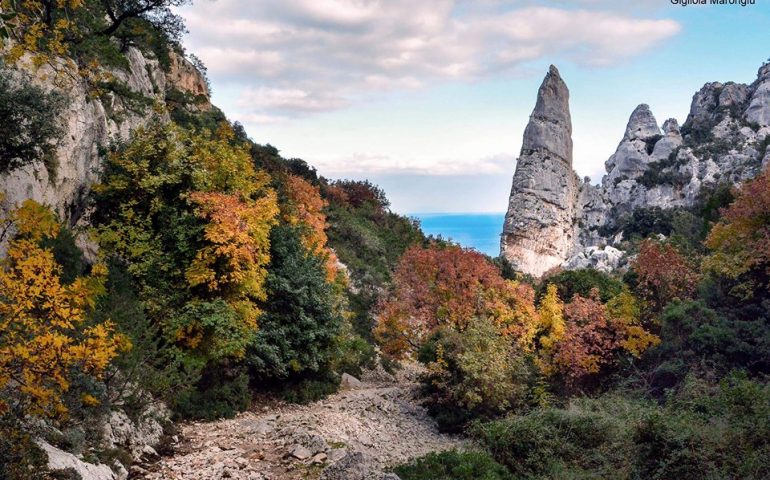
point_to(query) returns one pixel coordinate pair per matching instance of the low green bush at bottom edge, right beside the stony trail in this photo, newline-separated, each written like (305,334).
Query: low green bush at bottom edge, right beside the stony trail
(454,465)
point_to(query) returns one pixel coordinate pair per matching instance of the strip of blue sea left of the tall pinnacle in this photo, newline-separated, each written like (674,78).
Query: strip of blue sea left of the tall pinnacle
(477,230)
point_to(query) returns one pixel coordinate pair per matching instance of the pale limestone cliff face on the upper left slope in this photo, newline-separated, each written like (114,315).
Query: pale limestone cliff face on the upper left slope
(92,122)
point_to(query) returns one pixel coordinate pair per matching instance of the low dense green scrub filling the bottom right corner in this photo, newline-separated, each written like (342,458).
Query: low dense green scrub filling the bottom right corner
(701,431)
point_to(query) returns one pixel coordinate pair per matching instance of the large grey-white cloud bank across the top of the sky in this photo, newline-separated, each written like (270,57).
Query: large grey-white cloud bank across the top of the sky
(298,57)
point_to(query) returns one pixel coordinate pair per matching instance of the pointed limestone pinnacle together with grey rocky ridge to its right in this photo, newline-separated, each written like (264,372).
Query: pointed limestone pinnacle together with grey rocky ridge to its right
(554,220)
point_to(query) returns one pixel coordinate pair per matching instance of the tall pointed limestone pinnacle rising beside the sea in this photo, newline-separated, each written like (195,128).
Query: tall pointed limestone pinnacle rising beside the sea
(539,230)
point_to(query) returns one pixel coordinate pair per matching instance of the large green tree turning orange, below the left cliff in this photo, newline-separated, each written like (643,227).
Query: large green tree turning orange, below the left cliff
(190,217)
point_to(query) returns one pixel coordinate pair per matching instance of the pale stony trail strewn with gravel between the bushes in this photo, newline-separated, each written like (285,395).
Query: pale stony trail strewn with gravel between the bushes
(355,434)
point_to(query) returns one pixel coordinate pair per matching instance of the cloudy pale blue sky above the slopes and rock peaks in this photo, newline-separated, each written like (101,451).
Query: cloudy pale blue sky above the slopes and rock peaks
(429,98)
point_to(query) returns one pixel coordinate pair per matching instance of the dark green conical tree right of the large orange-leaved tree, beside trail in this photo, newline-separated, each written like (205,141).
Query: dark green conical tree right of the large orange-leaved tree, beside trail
(301,323)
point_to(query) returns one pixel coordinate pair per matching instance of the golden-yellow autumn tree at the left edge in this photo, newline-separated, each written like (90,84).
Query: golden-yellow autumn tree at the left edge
(45,334)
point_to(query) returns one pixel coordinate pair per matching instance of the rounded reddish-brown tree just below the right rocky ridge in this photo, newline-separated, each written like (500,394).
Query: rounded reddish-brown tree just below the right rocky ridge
(663,274)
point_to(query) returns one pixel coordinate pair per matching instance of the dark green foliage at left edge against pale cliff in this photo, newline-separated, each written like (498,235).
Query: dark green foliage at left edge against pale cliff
(29,122)
